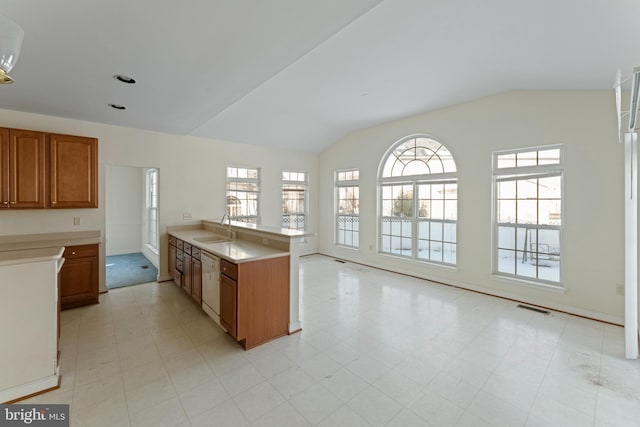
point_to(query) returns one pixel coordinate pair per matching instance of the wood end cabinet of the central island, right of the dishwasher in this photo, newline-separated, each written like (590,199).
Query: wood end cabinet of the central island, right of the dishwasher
(254,300)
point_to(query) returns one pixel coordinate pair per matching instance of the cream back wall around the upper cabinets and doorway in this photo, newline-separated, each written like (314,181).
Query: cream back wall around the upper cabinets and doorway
(192,177)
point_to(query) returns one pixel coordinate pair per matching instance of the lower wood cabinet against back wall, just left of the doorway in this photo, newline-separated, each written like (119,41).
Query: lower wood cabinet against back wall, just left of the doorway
(79,276)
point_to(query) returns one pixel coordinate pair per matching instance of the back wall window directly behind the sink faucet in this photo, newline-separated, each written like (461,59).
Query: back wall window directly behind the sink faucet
(243,194)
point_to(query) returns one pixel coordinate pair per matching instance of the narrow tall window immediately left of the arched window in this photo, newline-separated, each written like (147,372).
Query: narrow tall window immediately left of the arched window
(347,190)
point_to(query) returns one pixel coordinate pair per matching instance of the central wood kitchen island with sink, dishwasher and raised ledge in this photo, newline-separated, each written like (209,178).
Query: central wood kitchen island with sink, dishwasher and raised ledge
(258,276)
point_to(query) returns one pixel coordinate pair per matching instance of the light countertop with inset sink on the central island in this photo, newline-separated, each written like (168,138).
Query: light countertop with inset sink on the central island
(236,251)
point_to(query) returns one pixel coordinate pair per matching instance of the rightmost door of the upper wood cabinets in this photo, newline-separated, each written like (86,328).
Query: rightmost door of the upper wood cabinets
(73,171)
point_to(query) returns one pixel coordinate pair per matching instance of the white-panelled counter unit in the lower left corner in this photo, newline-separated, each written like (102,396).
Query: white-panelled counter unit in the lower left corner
(29,313)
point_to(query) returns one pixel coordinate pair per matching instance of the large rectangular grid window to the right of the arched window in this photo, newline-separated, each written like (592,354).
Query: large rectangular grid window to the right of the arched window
(528,214)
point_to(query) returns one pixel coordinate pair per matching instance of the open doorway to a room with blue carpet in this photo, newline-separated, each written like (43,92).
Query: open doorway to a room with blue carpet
(131,229)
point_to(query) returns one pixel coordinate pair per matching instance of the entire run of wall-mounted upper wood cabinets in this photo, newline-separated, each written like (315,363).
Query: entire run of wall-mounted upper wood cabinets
(40,170)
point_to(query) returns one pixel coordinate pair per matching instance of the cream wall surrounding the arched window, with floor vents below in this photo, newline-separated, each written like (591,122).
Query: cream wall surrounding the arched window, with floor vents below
(592,239)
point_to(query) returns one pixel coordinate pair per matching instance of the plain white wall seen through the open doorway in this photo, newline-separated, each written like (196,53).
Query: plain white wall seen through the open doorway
(124,207)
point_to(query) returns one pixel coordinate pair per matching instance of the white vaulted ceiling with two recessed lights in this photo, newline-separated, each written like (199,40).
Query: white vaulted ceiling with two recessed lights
(300,74)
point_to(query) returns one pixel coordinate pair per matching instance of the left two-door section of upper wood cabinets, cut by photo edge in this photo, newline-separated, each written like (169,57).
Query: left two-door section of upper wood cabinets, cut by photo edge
(22,168)
